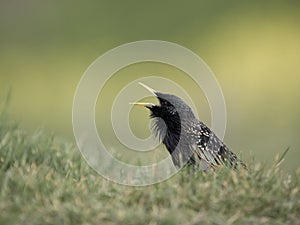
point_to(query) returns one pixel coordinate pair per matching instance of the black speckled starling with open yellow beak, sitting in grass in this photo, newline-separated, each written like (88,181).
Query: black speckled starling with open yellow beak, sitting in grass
(188,140)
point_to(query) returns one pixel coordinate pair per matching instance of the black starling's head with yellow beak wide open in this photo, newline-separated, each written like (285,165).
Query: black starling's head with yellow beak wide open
(171,108)
